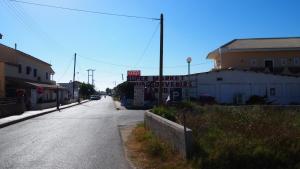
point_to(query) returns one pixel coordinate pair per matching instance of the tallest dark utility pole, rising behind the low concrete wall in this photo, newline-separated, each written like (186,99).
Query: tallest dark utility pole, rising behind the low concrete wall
(161,59)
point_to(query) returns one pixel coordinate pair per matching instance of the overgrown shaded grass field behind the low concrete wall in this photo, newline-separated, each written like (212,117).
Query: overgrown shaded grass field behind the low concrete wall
(235,137)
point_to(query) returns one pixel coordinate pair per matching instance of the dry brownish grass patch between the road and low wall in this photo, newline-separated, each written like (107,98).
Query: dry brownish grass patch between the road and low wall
(147,152)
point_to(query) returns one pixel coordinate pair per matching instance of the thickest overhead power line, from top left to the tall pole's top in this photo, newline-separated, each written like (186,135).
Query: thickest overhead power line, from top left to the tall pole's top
(83,10)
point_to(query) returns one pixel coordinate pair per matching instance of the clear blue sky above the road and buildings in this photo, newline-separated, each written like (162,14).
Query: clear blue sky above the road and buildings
(192,28)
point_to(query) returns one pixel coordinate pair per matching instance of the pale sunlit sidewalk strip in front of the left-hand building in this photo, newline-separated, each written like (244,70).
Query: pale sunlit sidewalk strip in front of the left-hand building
(32,114)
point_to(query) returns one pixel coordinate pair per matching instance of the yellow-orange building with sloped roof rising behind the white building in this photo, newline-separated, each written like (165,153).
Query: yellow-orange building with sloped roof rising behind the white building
(275,55)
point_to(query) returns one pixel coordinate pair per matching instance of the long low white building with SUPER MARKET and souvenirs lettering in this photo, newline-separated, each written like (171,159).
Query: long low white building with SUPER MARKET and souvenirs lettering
(227,86)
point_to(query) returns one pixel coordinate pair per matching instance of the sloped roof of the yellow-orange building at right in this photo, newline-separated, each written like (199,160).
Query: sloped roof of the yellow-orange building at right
(259,44)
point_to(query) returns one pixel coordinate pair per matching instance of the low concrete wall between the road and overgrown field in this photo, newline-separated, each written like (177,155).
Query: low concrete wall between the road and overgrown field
(170,132)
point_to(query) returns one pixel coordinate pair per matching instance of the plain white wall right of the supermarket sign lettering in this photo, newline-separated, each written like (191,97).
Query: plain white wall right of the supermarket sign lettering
(245,83)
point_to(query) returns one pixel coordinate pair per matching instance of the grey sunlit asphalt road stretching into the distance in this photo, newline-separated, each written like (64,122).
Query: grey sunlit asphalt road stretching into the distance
(83,137)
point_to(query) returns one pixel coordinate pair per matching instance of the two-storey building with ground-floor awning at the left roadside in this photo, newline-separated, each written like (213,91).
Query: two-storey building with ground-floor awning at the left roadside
(25,76)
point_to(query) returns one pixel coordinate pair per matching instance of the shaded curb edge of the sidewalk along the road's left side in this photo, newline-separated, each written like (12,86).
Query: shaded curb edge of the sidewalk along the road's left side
(36,115)
